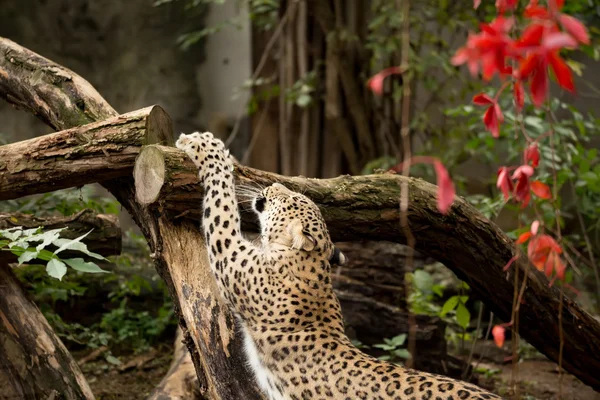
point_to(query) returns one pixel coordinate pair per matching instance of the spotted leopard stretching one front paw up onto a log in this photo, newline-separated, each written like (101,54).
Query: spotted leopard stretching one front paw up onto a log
(279,288)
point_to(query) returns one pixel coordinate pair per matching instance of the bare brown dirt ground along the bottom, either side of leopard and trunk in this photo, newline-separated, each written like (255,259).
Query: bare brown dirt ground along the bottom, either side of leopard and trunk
(538,378)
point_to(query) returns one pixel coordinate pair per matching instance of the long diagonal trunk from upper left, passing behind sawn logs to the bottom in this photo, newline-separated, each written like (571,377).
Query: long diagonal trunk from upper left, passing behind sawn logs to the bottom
(73,102)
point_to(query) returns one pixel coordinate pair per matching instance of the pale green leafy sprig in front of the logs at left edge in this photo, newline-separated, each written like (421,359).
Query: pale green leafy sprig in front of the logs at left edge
(30,244)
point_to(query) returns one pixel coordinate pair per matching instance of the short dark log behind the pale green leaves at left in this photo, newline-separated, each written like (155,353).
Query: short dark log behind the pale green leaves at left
(105,238)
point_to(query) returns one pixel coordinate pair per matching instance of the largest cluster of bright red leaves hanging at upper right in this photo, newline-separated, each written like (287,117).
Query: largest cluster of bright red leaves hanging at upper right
(535,52)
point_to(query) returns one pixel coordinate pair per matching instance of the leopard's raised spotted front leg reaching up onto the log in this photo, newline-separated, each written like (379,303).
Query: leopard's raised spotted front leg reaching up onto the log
(235,261)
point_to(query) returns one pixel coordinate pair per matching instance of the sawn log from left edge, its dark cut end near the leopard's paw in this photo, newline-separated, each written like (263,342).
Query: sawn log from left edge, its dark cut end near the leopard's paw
(90,153)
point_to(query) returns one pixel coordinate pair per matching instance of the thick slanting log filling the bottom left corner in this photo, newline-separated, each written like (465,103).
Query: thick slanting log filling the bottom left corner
(34,362)
